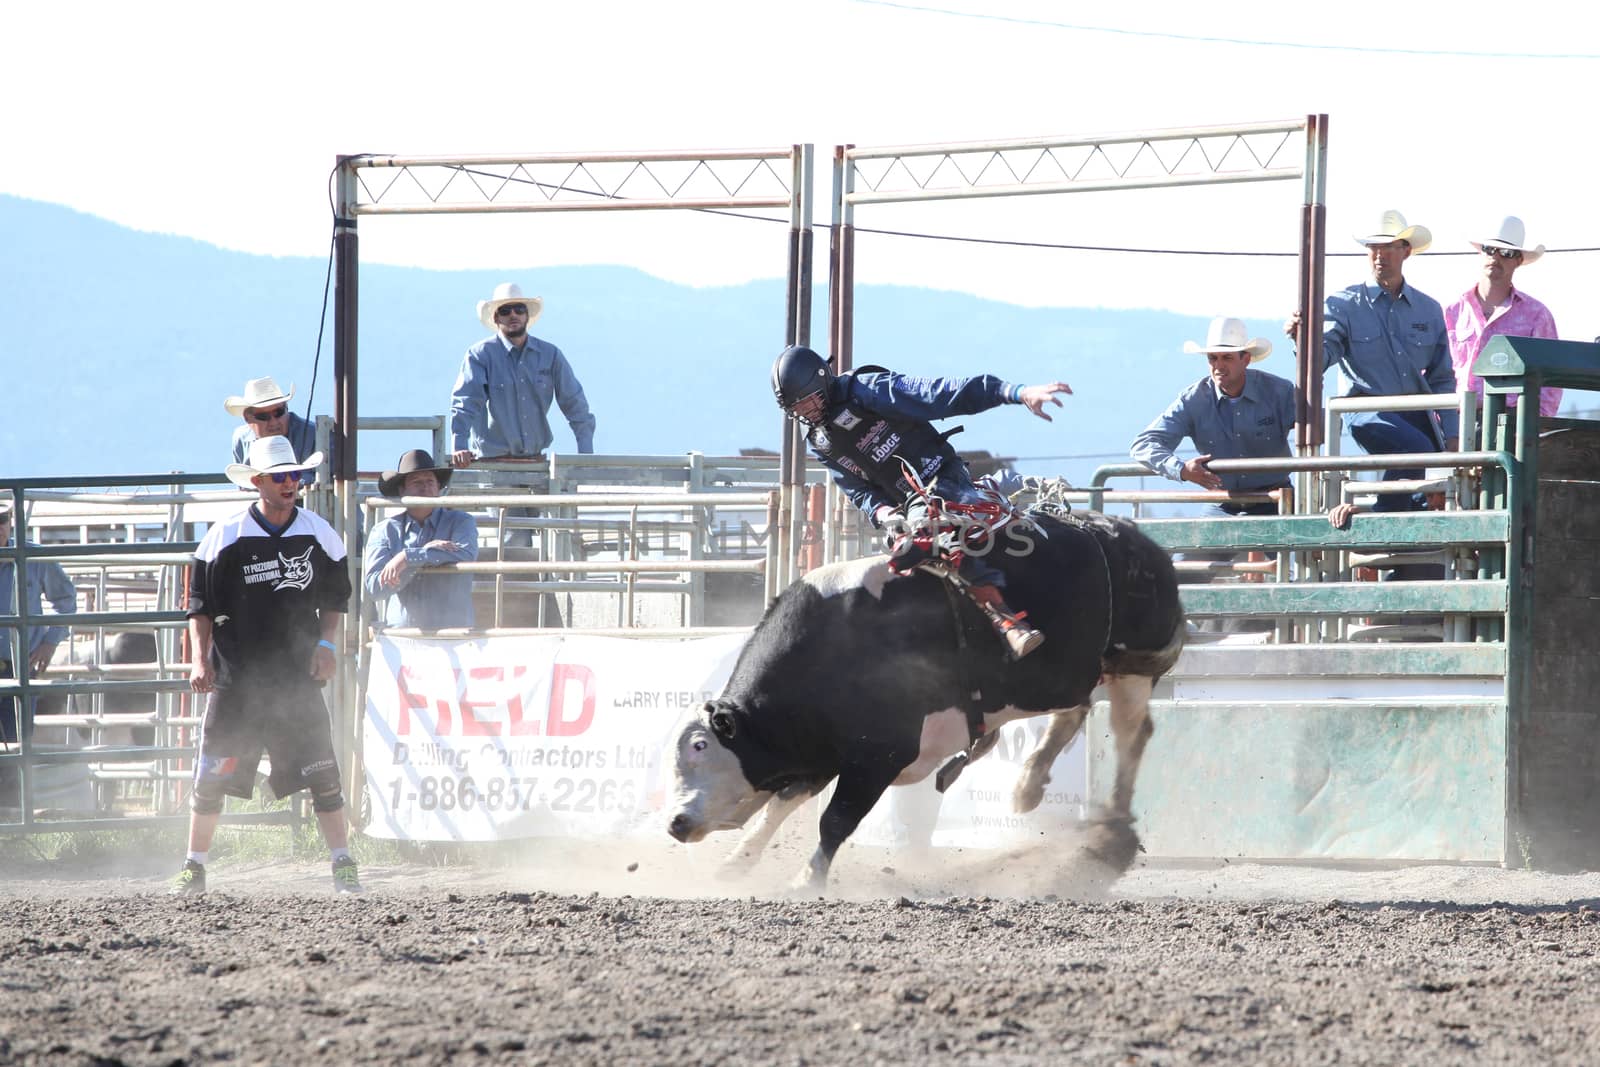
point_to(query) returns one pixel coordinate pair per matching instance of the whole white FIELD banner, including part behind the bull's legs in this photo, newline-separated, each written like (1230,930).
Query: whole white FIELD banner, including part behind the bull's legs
(566,737)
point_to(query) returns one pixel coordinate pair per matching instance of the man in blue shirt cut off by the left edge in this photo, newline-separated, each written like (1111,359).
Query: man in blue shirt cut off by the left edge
(46,581)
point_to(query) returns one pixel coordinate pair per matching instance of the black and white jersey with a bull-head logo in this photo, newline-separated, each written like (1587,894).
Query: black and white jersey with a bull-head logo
(263,591)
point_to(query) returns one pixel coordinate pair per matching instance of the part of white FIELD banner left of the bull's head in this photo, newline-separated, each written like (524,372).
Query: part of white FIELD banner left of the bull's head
(527,737)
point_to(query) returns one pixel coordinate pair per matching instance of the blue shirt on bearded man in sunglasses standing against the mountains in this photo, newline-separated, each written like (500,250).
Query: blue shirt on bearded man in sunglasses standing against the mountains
(502,401)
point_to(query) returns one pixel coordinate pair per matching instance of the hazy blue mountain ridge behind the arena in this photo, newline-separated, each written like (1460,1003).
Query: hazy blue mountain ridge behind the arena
(122,346)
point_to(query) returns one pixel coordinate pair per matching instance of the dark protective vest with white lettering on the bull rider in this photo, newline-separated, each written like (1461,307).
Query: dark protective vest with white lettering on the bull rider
(871,447)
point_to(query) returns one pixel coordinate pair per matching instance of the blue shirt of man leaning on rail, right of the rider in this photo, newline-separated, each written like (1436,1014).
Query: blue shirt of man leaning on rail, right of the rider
(1252,426)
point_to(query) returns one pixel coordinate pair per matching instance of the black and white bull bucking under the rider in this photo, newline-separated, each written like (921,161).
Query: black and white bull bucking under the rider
(876,681)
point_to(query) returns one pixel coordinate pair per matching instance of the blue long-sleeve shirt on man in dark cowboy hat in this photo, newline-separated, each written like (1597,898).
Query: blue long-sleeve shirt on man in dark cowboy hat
(431,602)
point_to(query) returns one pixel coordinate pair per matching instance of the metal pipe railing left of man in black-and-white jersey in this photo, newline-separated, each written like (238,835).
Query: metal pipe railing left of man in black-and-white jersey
(146,577)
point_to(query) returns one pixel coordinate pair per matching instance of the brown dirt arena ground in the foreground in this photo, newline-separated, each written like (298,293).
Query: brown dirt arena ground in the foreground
(636,956)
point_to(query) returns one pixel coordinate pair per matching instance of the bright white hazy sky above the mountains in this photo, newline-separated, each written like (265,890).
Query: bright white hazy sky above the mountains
(222,122)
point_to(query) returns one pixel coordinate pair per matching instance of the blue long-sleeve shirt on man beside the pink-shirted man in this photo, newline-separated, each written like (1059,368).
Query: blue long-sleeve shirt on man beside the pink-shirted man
(1390,345)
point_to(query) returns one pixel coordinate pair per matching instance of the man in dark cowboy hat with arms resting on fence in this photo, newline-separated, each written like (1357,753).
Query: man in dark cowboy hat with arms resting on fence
(420,537)
